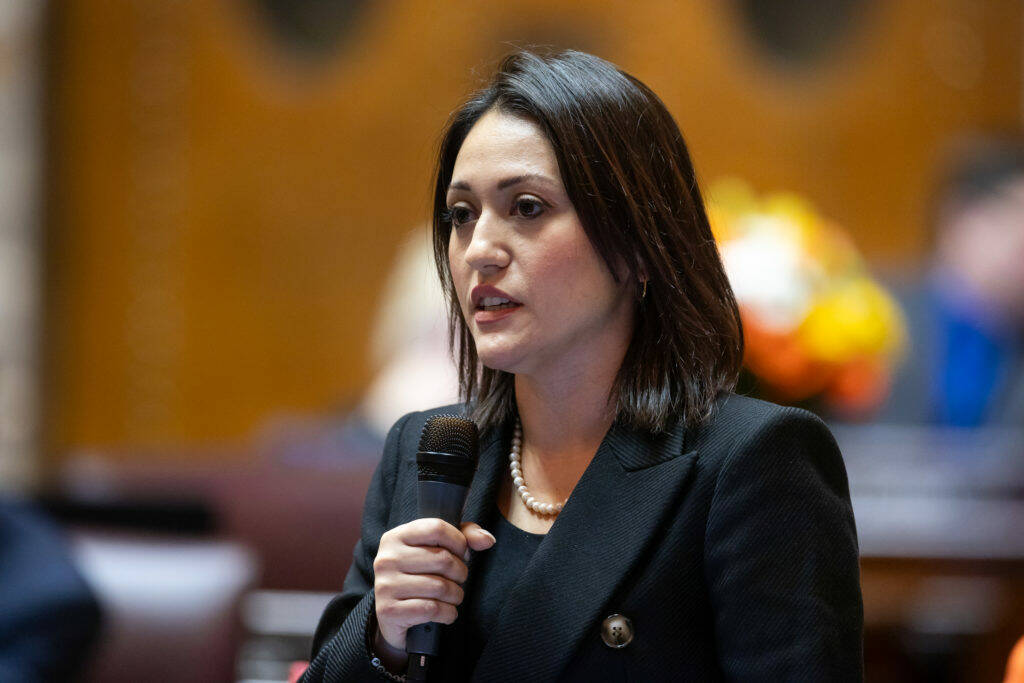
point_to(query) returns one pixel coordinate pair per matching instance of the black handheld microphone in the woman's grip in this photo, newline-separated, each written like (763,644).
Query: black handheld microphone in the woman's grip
(447,461)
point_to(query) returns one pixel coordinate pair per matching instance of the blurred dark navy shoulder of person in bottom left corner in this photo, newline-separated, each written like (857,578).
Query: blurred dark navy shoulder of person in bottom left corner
(50,618)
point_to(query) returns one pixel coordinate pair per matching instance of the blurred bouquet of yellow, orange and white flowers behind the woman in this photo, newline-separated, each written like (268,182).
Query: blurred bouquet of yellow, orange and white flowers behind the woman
(820,332)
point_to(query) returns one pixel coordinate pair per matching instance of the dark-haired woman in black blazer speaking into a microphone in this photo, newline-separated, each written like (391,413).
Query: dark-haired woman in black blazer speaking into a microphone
(651,525)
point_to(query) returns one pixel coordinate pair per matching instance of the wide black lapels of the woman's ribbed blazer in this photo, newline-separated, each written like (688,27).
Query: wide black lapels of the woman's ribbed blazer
(613,515)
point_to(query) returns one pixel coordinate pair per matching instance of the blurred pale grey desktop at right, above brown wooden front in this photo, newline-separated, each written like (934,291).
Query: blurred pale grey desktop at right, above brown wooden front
(936,493)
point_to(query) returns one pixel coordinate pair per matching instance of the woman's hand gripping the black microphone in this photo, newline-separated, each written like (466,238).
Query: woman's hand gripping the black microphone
(418,575)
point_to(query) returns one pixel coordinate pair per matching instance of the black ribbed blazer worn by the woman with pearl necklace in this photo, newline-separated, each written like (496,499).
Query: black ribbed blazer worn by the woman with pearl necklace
(732,547)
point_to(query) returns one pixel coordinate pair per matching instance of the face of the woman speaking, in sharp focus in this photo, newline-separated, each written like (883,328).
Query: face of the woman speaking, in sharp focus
(536,295)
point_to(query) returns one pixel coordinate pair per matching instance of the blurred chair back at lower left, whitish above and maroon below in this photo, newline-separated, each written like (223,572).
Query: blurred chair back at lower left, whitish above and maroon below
(172,606)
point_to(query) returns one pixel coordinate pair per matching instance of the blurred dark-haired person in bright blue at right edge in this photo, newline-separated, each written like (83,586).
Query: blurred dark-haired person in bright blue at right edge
(967,315)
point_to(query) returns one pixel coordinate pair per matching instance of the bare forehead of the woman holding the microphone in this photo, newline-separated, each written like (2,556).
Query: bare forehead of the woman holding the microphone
(499,144)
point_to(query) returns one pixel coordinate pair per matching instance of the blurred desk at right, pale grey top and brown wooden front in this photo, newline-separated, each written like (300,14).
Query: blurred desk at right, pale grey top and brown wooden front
(940,515)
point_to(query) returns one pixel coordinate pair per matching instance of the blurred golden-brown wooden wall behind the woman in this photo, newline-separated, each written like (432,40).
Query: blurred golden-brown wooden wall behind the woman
(224,198)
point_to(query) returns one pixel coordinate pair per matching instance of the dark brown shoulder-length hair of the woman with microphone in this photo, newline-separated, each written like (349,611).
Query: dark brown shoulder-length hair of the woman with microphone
(629,176)
